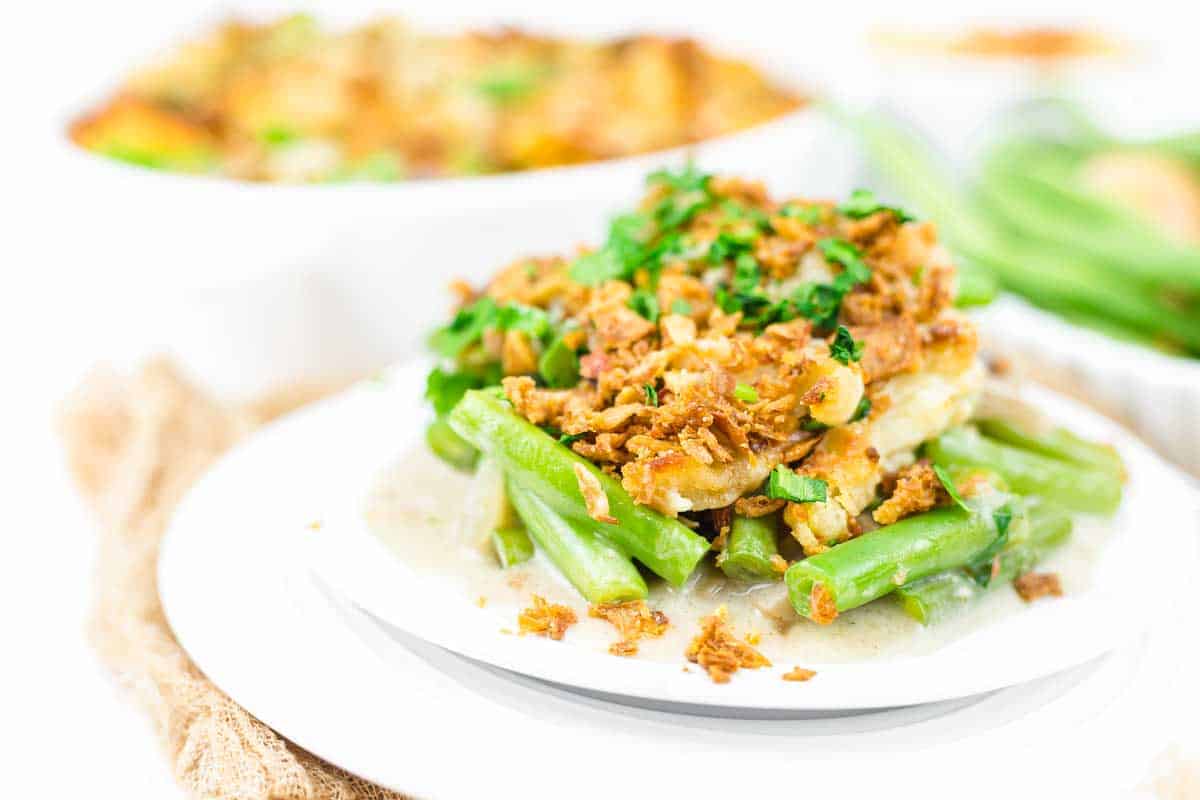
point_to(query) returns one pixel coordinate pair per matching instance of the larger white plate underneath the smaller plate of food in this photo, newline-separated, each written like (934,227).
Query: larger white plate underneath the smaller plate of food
(427,723)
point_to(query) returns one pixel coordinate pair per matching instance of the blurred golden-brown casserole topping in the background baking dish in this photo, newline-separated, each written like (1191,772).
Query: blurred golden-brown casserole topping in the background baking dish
(424,104)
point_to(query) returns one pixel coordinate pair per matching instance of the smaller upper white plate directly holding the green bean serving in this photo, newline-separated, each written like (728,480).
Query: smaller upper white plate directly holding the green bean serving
(326,460)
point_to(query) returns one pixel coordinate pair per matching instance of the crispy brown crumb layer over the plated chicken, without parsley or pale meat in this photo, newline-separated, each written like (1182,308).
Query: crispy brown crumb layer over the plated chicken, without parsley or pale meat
(700,430)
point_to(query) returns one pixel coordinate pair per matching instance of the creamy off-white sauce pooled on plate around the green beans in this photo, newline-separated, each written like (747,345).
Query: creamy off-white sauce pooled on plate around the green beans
(417,509)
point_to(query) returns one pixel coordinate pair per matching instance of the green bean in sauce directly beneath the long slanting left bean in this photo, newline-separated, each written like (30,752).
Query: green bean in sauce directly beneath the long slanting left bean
(598,570)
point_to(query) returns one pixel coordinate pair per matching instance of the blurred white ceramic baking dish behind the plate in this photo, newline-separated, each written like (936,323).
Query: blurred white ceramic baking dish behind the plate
(269,282)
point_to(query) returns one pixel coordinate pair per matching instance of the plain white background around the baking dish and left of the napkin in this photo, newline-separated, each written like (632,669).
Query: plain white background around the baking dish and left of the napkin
(64,723)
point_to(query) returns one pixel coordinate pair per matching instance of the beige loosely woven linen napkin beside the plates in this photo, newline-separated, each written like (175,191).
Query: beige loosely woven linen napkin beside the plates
(135,446)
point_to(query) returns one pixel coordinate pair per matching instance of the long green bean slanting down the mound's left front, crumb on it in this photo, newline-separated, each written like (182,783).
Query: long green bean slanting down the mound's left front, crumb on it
(539,464)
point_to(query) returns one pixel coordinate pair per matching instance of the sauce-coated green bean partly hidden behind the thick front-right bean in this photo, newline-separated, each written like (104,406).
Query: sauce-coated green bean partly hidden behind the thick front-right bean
(938,597)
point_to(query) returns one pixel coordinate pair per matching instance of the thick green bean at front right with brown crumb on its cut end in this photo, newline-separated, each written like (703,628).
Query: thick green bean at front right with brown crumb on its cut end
(875,564)
